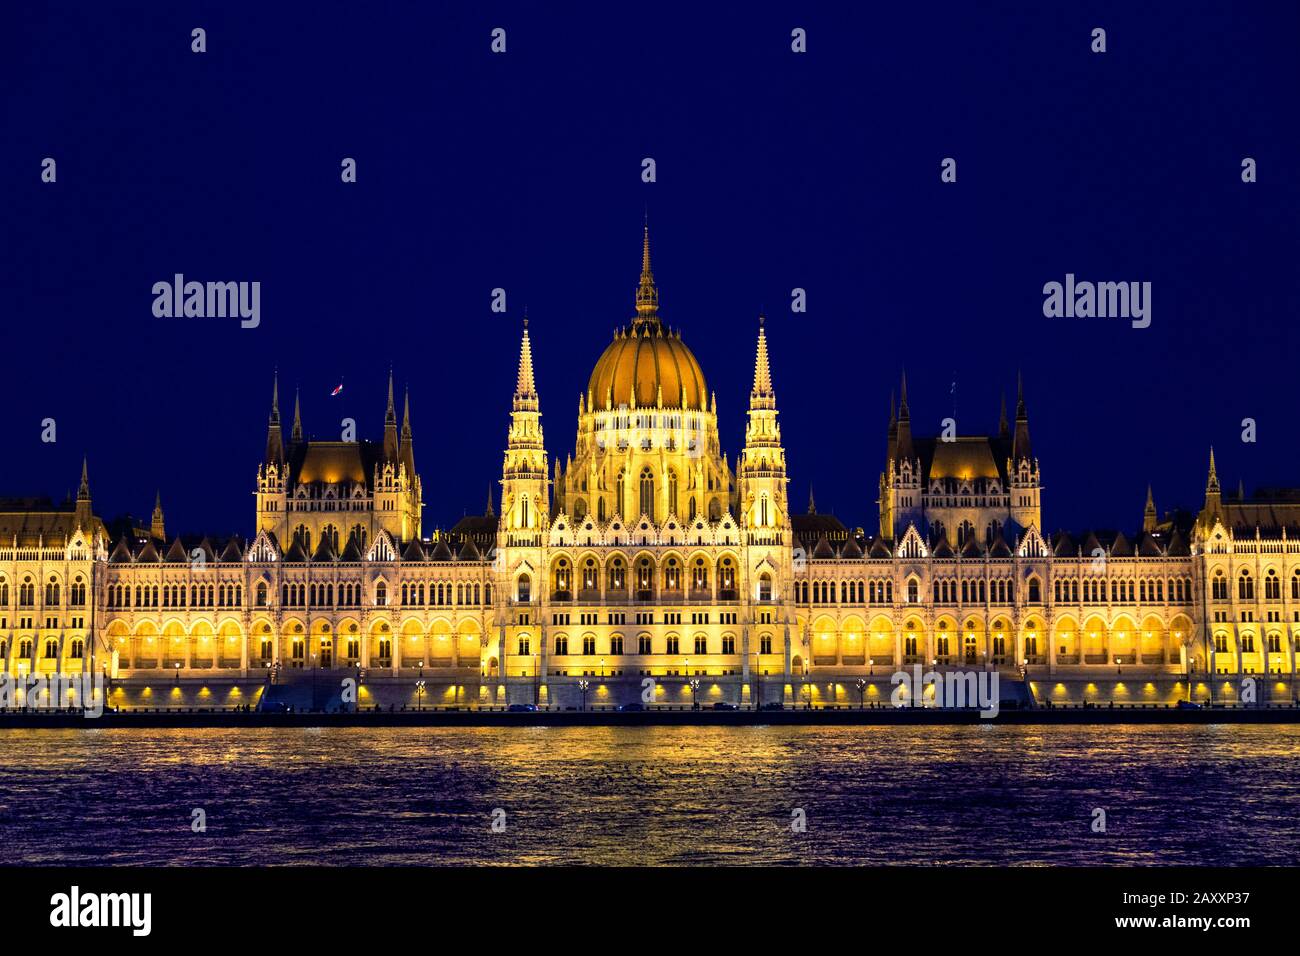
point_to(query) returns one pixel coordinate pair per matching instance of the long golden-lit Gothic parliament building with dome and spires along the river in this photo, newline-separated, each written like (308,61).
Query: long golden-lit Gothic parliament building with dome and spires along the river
(647,553)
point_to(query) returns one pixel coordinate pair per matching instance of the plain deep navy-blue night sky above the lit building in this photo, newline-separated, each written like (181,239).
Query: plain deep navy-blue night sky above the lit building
(523,171)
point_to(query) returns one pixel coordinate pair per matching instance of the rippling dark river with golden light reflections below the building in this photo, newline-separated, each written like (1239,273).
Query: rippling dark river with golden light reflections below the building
(1220,795)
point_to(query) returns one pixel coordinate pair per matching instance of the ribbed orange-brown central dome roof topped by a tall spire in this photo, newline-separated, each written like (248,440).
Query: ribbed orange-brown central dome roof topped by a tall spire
(647,364)
